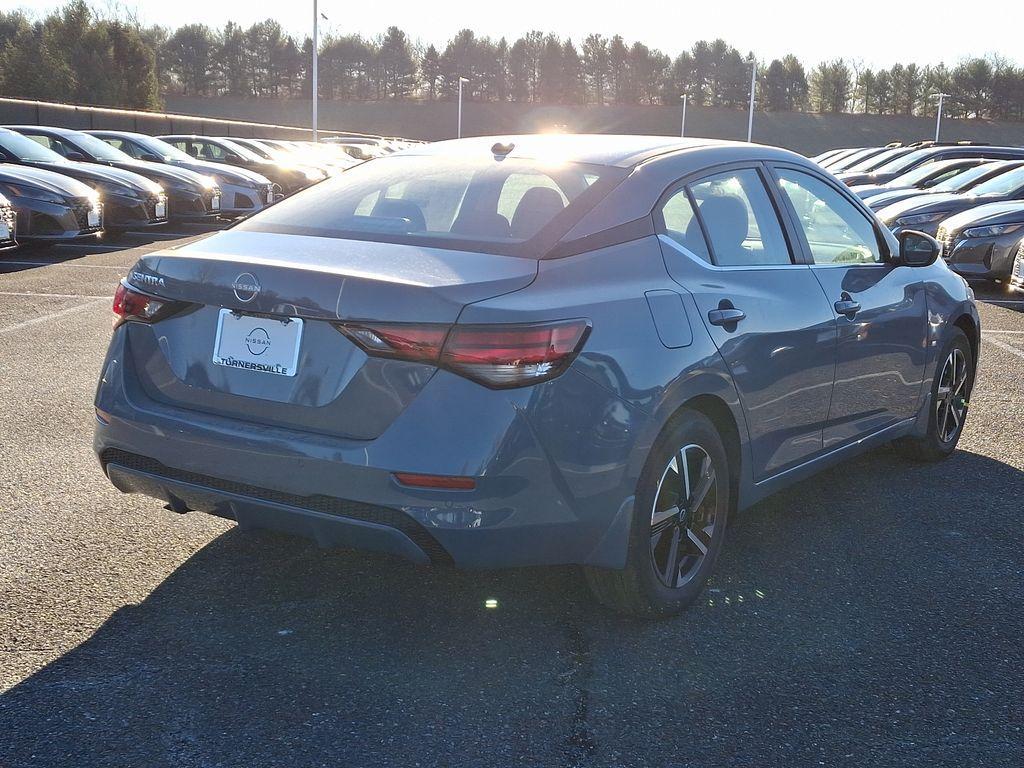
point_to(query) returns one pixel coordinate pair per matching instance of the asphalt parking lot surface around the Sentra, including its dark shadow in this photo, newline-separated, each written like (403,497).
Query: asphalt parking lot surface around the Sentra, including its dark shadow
(870,617)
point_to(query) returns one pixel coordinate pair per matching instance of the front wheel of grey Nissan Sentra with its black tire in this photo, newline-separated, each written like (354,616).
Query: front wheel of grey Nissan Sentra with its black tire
(941,440)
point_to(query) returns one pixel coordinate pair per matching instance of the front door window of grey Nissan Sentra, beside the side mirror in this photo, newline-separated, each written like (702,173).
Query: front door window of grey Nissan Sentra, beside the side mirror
(837,233)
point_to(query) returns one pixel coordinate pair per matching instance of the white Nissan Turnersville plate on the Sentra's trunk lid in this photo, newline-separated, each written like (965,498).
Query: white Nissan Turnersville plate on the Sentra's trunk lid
(267,346)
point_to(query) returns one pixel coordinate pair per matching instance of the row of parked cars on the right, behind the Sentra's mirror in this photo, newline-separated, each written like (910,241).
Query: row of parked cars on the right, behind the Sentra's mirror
(968,196)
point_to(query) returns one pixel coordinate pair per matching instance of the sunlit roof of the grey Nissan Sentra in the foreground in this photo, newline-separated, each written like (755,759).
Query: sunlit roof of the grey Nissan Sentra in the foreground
(610,150)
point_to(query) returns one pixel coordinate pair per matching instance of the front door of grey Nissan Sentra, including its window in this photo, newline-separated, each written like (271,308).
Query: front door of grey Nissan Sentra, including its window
(881,309)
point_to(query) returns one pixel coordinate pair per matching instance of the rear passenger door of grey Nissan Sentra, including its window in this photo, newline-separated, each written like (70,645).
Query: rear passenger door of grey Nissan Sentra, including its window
(766,313)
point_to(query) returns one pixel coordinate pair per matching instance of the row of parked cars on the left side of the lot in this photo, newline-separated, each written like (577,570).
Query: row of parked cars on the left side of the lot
(59,185)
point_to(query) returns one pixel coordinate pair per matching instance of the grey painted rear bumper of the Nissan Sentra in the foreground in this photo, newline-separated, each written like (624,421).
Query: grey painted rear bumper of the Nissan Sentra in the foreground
(538,500)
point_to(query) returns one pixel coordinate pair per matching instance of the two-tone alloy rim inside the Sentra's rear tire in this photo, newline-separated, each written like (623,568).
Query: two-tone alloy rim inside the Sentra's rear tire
(682,523)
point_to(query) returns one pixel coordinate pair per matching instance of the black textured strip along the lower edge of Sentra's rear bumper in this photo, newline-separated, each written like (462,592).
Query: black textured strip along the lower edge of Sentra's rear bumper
(328,505)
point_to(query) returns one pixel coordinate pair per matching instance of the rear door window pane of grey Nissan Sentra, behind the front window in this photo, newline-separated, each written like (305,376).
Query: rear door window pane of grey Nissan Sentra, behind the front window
(741,221)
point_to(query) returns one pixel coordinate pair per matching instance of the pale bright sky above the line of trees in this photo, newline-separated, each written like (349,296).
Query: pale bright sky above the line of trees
(877,33)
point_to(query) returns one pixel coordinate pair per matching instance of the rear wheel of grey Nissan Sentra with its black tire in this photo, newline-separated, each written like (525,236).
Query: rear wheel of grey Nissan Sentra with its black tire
(639,589)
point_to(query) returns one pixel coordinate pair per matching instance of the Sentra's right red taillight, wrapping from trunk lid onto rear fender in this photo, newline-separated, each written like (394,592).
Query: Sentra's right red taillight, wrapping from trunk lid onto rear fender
(496,356)
